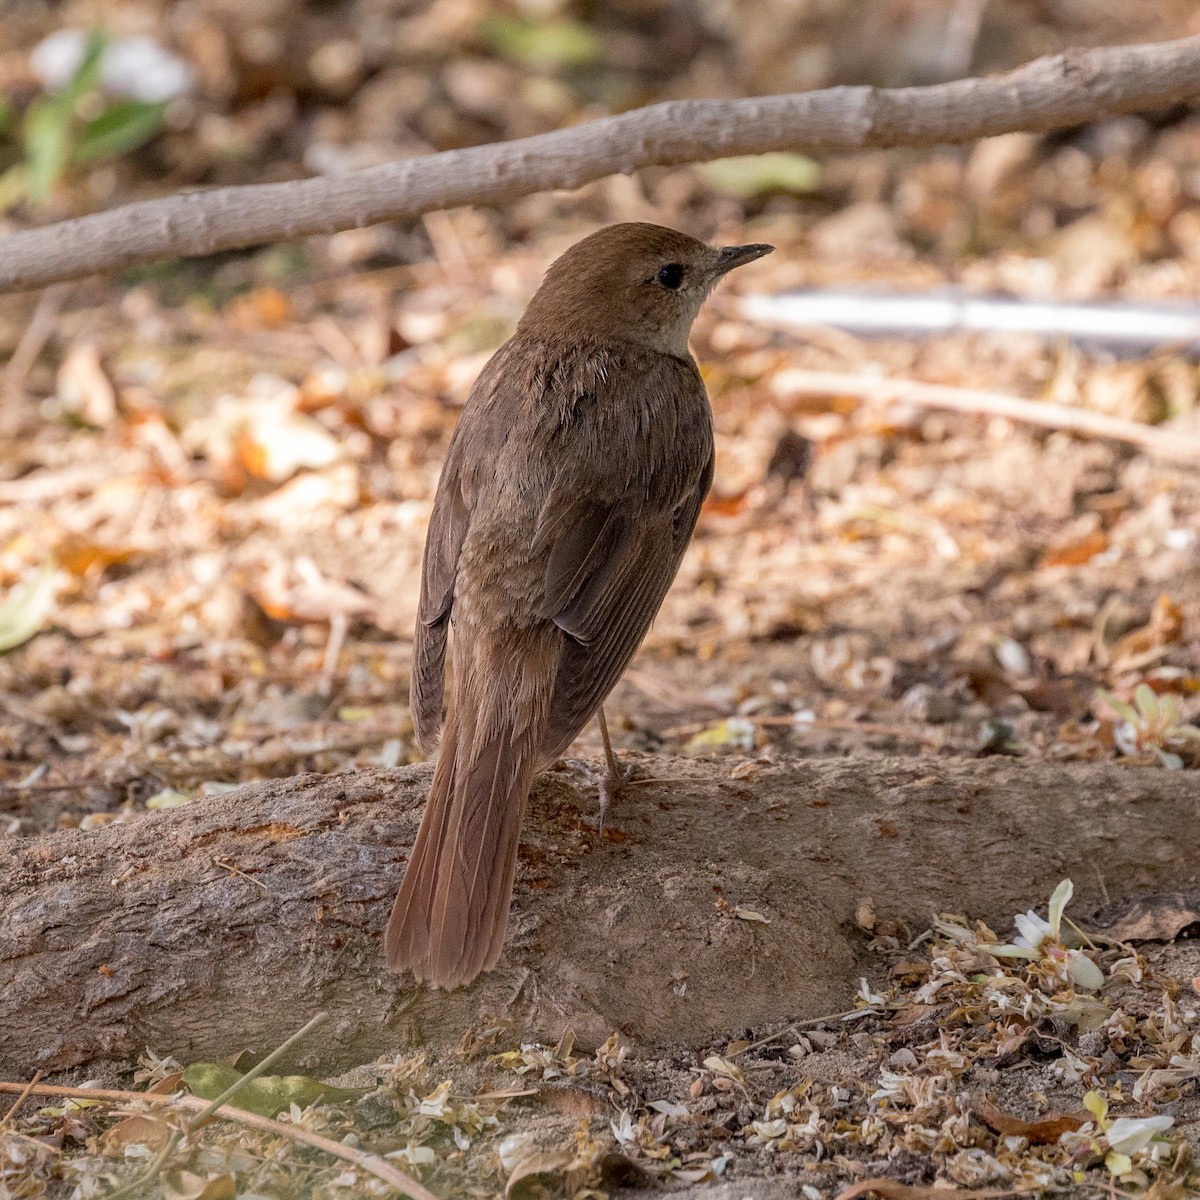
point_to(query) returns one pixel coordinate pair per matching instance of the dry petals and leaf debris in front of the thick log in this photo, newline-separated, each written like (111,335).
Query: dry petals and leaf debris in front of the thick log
(970,1067)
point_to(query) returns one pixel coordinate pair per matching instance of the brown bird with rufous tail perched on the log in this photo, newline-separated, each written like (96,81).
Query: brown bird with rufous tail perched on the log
(569,495)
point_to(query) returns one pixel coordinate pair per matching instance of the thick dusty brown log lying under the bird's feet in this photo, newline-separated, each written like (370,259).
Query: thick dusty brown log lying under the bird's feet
(133,937)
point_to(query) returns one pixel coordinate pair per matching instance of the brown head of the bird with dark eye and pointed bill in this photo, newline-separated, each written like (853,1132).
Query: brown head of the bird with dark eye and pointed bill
(632,283)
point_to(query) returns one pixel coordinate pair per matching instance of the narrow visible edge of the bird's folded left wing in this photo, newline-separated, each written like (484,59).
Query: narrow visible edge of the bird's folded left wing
(443,544)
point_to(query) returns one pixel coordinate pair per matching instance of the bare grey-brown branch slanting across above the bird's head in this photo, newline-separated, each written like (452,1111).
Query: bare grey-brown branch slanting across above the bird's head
(1051,93)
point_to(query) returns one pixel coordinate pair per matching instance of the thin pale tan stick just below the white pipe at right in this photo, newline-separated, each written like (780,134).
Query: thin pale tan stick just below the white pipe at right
(1167,445)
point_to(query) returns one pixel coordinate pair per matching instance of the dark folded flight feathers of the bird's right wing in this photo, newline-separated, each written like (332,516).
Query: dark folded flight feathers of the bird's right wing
(609,569)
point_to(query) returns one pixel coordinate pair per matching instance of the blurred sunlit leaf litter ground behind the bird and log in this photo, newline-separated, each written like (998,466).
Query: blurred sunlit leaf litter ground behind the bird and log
(215,476)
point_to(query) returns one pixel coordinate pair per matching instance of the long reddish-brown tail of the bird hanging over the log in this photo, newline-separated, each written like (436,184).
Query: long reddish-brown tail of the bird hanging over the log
(449,920)
